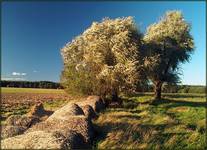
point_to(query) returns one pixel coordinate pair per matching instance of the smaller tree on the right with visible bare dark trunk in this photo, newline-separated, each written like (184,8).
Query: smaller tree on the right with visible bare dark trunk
(168,43)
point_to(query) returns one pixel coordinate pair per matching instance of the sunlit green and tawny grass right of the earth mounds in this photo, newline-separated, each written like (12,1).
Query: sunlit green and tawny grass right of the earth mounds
(177,122)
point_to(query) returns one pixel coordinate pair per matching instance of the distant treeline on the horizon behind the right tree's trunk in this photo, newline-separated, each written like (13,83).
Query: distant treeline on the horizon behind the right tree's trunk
(180,89)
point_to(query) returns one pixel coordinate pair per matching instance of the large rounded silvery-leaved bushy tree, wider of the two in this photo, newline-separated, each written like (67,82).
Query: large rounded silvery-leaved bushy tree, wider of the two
(104,59)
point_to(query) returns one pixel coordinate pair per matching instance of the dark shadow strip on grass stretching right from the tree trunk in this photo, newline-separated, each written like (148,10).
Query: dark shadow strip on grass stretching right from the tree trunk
(176,103)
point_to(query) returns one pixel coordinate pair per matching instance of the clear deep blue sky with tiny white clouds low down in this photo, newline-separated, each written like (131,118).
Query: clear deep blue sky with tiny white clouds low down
(34,32)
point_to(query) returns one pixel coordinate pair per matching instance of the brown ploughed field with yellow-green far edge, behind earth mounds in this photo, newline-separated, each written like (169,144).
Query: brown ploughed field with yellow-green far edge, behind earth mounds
(18,101)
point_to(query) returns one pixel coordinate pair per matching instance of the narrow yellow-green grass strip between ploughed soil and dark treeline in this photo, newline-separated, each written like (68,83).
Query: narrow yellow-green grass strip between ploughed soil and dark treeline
(30,90)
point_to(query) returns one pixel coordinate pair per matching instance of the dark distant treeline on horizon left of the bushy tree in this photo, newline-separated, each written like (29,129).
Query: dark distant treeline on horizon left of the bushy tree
(31,84)
